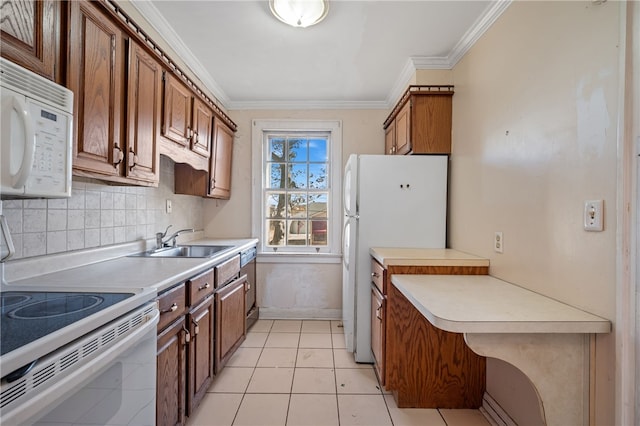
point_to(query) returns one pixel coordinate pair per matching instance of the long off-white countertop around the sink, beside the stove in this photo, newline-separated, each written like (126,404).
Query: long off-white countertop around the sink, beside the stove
(159,273)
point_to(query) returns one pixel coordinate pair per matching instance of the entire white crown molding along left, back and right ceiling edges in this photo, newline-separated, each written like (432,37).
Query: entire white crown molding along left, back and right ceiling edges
(481,25)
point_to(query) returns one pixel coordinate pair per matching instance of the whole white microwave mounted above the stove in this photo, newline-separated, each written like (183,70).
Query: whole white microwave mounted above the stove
(36,135)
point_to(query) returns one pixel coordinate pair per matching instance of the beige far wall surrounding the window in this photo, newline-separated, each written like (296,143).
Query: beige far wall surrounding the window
(309,290)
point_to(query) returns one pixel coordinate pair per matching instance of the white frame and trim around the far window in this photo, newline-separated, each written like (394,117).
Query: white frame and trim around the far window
(334,128)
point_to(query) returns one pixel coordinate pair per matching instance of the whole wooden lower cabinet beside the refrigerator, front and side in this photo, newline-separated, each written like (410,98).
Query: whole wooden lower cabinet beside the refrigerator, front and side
(423,366)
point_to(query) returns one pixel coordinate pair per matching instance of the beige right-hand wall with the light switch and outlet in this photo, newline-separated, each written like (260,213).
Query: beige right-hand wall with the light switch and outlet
(534,136)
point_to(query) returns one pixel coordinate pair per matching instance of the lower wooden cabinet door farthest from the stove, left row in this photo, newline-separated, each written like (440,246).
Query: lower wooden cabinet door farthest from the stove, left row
(230,320)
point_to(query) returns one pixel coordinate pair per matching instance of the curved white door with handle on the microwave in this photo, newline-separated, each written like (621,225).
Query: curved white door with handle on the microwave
(18,142)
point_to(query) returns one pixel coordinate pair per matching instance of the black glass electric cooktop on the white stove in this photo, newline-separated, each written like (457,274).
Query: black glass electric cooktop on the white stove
(27,316)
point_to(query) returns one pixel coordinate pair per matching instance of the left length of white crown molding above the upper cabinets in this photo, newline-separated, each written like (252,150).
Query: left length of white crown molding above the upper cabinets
(162,26)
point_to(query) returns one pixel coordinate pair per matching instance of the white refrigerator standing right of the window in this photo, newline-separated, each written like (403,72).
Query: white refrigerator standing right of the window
(389,201)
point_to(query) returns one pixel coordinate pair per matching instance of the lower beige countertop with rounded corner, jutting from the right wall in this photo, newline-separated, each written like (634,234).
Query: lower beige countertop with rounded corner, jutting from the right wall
(485,304)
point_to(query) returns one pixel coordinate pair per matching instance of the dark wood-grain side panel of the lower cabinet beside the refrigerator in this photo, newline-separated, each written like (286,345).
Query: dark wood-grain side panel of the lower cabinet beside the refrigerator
(428,367)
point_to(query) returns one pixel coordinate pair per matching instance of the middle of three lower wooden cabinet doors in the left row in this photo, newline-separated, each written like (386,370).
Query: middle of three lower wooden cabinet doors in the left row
(200,353)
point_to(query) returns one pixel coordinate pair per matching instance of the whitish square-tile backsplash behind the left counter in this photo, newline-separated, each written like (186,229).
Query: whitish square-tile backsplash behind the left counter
(98,214)
